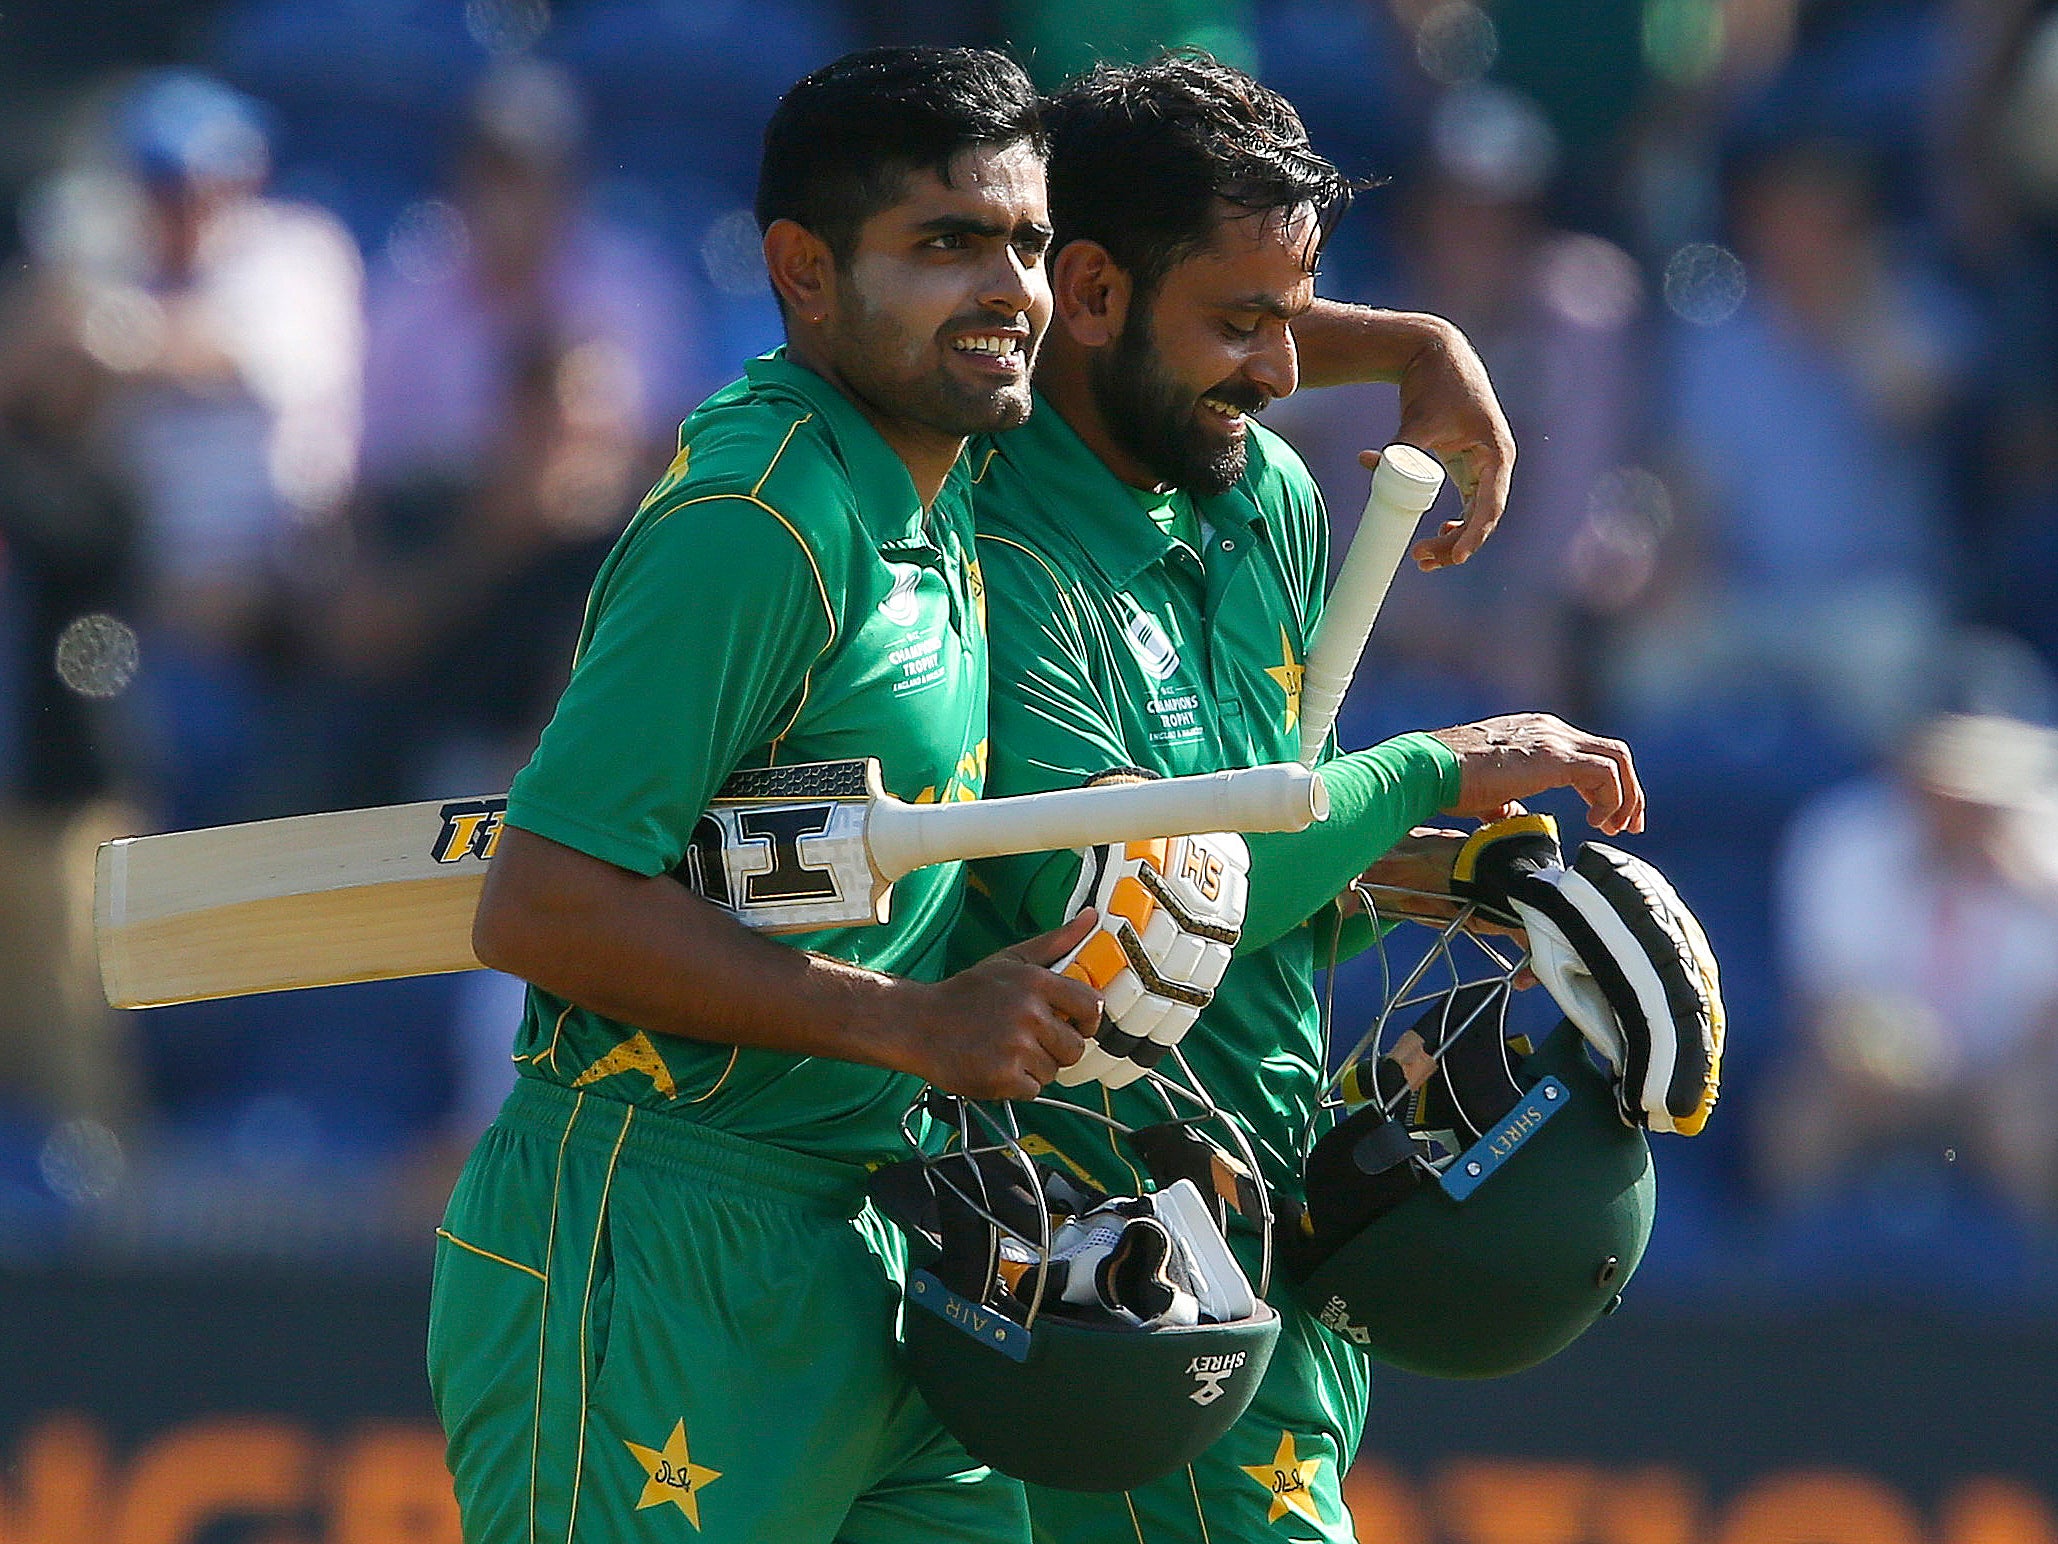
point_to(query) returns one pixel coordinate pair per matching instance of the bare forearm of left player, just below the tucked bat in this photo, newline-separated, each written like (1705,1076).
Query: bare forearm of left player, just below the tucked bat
(649,952)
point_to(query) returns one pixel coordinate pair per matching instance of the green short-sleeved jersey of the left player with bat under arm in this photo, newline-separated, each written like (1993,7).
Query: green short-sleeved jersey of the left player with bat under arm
(779,598)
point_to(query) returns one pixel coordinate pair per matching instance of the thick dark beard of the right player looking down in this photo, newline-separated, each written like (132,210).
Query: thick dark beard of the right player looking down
(1160,421)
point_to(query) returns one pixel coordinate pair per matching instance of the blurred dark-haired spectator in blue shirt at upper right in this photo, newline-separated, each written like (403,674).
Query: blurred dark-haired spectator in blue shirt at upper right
(1812,390)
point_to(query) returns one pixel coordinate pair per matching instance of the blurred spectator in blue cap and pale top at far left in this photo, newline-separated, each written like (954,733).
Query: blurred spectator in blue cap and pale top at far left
(227,330)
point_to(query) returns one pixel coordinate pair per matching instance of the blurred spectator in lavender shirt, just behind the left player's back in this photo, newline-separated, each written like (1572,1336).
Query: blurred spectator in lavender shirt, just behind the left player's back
(524,384)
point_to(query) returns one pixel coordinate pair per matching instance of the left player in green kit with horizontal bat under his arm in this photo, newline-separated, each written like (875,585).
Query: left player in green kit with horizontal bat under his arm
(664,1306)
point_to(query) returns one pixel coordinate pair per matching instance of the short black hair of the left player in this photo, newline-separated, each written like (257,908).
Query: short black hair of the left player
(845,141)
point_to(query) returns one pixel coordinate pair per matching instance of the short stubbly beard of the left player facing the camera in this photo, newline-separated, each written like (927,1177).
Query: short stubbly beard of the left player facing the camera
(902,376)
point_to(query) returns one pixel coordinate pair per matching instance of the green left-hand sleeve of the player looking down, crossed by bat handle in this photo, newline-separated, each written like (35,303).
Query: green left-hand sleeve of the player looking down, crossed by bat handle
(1053,728)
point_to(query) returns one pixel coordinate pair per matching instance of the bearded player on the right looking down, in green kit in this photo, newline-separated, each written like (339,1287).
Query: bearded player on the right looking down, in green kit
(1156,571)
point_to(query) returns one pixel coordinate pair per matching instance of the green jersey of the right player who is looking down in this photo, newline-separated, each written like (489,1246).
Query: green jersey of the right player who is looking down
(1116,643)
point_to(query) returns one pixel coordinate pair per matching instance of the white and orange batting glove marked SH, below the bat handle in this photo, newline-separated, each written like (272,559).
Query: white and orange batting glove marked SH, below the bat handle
(1172,913)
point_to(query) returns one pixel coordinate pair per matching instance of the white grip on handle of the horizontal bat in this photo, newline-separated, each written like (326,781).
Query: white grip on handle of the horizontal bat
(1279,798)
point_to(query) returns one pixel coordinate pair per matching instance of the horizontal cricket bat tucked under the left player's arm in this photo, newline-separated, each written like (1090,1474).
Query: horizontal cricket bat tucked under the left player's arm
(371,894)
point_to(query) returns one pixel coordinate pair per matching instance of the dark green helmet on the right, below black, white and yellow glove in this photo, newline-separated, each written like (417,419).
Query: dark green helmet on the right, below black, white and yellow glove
(1481,1203)
